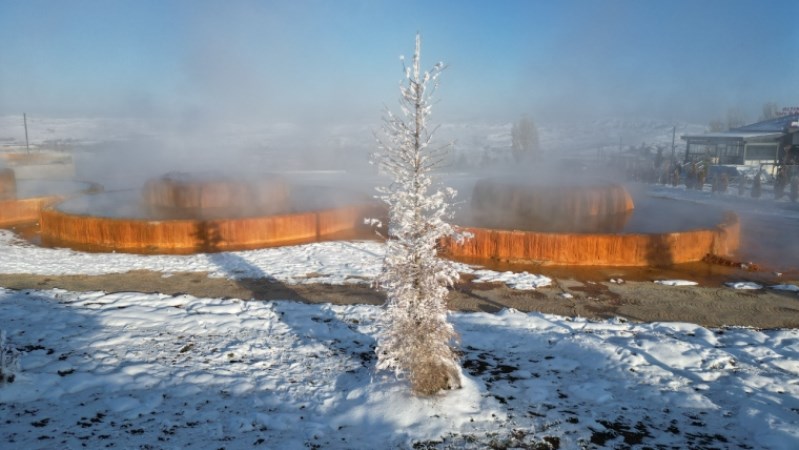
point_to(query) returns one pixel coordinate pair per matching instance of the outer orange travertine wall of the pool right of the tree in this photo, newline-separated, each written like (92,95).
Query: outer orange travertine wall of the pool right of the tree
(598,249)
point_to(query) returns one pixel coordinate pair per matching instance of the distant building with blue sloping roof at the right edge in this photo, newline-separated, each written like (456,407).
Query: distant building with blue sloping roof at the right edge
(774,141)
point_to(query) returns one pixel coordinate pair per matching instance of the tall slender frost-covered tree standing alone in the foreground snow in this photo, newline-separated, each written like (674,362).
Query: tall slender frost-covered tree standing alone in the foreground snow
(416,340)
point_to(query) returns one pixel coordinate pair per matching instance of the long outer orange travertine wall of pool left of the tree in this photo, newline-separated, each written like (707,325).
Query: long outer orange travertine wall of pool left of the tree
(184,236)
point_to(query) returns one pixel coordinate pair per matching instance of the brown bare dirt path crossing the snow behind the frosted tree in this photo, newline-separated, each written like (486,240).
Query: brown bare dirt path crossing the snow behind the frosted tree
(710,304)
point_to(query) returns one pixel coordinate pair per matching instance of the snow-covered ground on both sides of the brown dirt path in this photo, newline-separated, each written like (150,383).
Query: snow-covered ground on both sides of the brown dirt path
(133,370)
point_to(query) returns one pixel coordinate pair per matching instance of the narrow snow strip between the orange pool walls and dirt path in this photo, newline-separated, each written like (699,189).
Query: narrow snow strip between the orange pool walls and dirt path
(343,262)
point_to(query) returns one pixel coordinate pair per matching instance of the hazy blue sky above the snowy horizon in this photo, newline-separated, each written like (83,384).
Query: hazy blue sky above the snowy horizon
(336,61)
